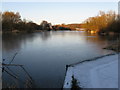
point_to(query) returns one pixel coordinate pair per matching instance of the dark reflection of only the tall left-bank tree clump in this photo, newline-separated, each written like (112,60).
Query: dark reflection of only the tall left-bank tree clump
(11,42)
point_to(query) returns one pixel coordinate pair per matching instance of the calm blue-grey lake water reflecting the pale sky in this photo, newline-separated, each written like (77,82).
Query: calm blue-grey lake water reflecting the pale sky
(45,54)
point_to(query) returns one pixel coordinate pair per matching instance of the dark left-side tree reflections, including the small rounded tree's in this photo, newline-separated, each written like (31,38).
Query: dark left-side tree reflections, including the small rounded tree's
(11,42)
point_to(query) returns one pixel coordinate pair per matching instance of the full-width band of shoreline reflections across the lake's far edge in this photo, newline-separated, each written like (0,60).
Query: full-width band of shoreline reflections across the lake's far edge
(13,42)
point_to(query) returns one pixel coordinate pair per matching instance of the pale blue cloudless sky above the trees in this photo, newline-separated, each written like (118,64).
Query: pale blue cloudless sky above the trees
(58,12)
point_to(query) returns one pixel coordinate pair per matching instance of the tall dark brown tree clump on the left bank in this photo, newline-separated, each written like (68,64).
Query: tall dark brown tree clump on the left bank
(12,21)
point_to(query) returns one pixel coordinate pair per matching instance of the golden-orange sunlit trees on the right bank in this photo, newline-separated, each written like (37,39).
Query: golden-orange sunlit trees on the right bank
(104,22)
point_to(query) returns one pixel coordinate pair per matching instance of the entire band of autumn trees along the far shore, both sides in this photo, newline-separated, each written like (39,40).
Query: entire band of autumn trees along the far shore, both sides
(104,23)
